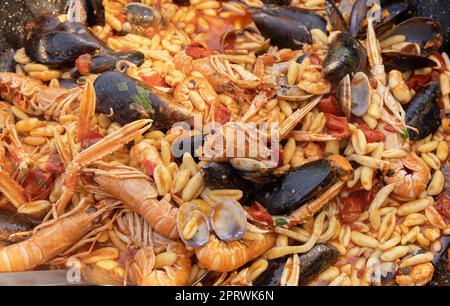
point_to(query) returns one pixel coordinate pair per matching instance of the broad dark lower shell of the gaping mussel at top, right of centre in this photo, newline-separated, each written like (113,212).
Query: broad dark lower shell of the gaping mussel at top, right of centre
(283,31)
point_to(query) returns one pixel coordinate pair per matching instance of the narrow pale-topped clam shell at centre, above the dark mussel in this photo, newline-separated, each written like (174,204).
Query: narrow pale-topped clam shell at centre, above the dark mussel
(254,170)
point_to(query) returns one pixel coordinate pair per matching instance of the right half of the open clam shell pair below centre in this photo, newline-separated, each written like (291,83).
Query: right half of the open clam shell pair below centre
(228,219)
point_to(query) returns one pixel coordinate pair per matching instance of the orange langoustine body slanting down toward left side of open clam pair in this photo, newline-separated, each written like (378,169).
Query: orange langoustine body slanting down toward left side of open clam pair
(138,193)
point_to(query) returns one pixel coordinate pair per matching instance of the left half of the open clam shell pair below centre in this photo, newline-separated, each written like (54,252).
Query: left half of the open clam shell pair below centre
(188,213)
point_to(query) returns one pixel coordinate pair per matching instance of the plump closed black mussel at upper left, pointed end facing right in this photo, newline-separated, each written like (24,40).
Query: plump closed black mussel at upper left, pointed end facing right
(58,48)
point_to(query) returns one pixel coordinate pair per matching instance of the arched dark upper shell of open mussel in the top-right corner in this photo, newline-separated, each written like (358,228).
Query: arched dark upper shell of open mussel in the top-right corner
(425,32)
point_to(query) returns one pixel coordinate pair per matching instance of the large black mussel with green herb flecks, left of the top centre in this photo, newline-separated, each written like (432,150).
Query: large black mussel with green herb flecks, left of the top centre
(127,100)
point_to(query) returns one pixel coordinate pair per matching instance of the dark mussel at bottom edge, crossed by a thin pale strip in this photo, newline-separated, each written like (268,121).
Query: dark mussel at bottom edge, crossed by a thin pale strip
(320,257)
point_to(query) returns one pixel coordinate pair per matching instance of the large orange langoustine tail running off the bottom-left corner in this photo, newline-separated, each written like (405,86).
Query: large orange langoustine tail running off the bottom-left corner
(52,240)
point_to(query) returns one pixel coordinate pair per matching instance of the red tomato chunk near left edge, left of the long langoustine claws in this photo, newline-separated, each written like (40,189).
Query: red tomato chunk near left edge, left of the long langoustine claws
(37,185)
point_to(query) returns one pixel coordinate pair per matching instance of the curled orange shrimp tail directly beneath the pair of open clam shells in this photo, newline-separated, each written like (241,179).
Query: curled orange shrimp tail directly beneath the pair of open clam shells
(223,256)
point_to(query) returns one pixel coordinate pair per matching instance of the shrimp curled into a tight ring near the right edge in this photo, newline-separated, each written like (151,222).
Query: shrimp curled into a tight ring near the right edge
(407,184)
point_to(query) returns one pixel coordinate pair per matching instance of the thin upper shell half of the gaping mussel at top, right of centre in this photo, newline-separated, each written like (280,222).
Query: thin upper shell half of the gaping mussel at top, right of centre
(310,20)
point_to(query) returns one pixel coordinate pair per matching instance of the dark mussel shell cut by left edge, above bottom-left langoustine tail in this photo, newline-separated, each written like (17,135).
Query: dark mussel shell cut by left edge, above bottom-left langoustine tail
(11,223)
